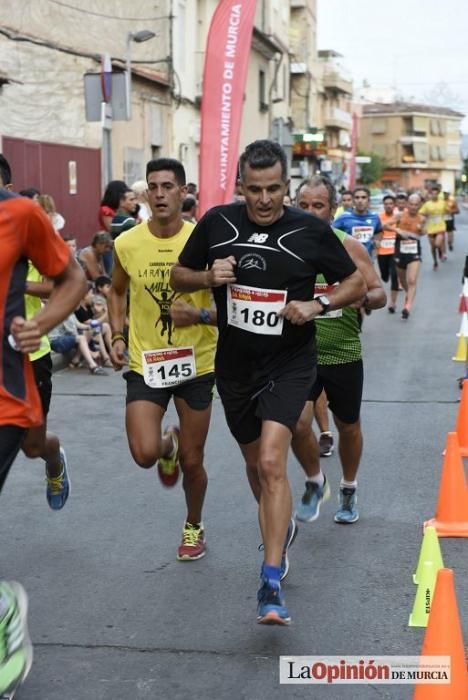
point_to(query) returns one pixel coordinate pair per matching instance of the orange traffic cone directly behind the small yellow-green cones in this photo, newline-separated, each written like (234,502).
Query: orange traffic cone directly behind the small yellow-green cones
(451,519)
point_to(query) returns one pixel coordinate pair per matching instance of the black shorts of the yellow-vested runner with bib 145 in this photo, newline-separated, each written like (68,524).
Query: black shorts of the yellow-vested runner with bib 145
(197,393)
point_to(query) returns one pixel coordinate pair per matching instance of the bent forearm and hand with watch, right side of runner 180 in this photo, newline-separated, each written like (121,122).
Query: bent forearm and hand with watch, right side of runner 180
(350,289)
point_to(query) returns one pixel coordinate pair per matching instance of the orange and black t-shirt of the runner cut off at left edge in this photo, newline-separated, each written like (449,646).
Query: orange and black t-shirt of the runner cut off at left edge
(25,233)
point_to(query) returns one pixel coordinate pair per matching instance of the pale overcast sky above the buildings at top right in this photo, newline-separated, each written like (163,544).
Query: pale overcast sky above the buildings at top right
(407,44)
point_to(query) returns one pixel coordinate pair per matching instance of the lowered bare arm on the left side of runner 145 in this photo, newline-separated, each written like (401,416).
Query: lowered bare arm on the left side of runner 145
(117,310)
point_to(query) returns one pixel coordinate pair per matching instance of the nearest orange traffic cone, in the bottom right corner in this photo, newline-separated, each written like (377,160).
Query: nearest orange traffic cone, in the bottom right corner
(444,638)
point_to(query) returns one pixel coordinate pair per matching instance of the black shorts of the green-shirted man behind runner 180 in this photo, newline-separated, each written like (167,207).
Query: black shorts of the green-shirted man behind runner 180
(343,387)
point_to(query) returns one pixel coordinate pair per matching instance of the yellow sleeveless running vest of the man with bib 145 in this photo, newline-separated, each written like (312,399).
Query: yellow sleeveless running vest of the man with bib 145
(148,260)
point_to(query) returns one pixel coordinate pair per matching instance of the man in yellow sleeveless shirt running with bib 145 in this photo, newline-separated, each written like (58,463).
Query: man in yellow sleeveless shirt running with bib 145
(171,348)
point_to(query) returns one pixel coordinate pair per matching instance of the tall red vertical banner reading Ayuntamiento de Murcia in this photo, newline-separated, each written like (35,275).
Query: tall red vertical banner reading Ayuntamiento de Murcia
(225,72)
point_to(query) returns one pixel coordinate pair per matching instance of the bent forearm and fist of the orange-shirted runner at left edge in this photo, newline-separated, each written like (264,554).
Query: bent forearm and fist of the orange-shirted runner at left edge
(69,288)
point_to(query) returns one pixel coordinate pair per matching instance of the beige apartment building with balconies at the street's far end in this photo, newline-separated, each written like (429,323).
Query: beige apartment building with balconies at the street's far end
(421,144)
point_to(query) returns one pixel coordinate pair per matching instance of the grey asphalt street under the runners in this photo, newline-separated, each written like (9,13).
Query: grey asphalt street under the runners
(114,616)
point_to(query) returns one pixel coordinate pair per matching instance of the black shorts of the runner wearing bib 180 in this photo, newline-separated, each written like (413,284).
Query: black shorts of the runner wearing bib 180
(280,398)
